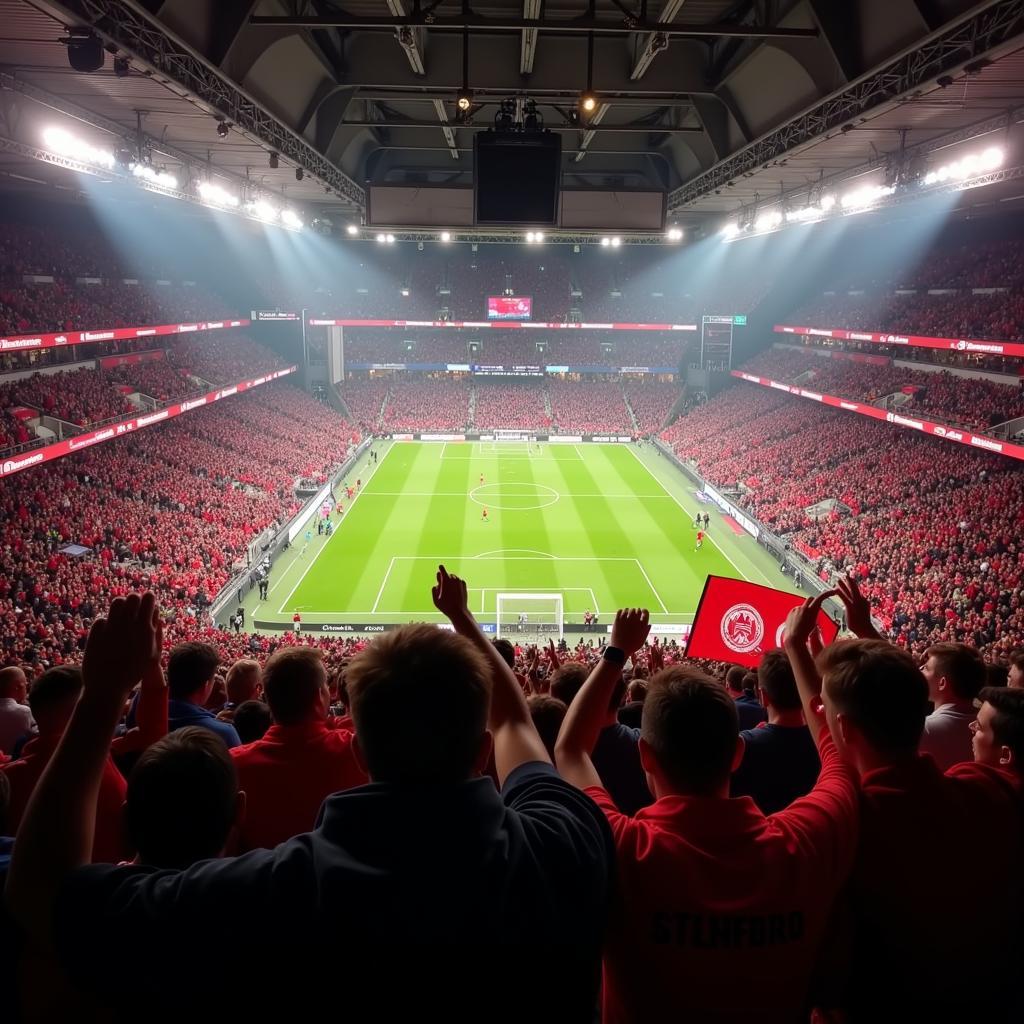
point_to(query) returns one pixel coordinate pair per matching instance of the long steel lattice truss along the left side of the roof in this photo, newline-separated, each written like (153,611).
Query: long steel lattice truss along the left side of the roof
(126,25)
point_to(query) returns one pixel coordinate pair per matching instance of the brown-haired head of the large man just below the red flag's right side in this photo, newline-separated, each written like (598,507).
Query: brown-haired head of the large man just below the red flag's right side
(881,690)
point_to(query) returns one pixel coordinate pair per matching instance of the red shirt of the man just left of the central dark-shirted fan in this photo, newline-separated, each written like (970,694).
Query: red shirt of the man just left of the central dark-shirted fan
(287,776)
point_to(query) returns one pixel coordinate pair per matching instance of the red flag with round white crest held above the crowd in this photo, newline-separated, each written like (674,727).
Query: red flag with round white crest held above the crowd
(739,622)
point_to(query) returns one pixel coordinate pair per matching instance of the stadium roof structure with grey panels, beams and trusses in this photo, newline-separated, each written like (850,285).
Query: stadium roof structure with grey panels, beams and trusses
(720,104)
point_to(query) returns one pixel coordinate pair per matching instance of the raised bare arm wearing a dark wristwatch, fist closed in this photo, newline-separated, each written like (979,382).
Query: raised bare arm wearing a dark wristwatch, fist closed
(586,716)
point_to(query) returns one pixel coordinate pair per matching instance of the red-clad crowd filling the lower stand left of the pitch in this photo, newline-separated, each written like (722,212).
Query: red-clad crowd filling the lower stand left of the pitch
(172,508)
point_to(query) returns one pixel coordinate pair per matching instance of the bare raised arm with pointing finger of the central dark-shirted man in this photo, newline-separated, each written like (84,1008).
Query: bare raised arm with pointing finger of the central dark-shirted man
(517,739)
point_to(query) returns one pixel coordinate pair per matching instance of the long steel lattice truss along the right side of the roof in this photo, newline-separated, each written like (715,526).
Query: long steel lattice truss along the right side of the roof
(971,37)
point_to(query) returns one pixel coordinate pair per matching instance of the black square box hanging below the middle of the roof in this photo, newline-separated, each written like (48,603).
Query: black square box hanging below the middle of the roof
(517,178)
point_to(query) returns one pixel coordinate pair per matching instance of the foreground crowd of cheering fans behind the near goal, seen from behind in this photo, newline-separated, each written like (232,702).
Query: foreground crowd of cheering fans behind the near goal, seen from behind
(789,822)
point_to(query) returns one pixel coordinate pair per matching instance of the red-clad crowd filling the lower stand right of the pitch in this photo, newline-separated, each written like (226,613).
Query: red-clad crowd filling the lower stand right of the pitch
(931,529)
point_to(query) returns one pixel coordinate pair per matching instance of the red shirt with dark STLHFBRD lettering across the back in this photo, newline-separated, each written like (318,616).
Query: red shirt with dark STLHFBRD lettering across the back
(720,911)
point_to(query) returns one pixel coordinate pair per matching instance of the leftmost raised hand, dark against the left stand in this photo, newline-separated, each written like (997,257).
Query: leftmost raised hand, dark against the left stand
(123,647)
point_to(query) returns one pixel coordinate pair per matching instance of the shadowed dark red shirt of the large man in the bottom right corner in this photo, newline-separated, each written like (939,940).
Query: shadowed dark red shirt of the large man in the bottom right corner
(956,899)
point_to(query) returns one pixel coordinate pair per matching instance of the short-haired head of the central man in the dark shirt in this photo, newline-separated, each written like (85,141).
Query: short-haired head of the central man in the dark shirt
(420,698)
